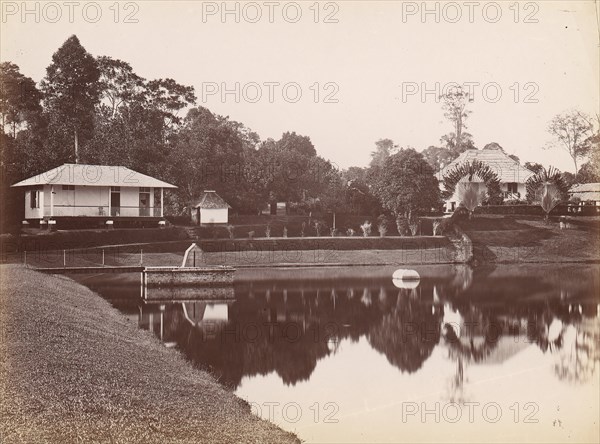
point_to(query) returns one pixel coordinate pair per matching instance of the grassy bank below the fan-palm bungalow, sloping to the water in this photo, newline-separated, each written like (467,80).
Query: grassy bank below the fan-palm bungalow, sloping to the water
(519,239)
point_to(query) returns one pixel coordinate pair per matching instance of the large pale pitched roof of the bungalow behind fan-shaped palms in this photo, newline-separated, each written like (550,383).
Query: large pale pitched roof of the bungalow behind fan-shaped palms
(507,169)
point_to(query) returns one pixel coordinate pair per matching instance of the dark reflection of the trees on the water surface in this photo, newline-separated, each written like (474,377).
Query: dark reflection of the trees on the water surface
(287,326)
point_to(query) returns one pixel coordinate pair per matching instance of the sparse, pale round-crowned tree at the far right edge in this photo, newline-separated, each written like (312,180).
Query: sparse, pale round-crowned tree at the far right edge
(572,130)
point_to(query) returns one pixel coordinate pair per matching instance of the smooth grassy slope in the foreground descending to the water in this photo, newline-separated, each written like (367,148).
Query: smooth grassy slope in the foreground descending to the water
(74,369)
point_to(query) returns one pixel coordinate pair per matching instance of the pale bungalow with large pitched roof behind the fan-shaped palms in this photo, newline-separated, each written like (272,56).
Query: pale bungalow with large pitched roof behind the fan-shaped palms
(513,176)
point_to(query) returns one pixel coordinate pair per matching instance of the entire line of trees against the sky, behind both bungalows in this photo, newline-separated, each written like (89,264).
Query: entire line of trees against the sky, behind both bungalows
(97,110)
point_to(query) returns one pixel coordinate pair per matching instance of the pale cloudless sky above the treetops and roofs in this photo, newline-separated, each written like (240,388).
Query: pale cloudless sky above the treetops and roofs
(345,73)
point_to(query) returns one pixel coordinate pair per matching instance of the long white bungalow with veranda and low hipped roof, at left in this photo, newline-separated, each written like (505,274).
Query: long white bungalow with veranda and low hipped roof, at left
(93,191)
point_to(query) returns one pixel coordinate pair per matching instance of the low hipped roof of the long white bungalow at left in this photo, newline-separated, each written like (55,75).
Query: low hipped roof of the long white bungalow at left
(93,175)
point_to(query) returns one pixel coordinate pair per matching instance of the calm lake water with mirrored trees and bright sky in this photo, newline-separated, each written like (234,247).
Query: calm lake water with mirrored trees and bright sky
(496,354)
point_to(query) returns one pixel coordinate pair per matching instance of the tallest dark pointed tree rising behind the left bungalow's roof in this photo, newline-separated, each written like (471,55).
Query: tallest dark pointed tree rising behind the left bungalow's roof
(71,92)
